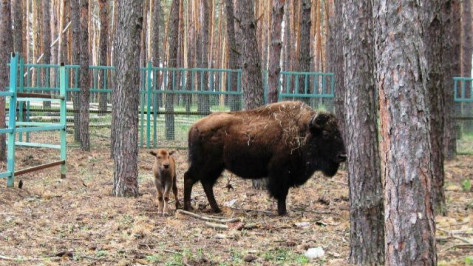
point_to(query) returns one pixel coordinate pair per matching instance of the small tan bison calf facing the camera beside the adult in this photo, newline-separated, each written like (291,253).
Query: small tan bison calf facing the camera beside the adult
(164,170)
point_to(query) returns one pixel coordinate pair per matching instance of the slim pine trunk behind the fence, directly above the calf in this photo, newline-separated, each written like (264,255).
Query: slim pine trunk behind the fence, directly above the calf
(173,46)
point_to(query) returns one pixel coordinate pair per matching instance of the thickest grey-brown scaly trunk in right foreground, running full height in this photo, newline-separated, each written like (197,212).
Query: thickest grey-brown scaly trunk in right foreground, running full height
(402,76)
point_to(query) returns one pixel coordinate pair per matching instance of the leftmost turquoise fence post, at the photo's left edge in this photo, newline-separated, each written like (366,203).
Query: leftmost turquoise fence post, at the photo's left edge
(11,121)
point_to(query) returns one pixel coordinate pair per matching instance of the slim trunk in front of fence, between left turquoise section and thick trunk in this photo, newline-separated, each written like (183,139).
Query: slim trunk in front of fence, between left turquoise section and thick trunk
(84,76)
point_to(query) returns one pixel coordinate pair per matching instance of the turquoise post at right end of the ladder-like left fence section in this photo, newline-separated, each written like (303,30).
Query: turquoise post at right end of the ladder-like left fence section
(63,117)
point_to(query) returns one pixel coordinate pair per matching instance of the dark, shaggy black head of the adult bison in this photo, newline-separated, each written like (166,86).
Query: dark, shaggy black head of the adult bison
(324,144)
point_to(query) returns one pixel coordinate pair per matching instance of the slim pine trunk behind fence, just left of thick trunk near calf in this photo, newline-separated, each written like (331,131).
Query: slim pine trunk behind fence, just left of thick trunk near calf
(103,46)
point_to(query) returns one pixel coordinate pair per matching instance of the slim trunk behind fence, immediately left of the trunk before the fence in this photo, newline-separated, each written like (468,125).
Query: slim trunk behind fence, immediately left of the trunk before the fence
(75,24)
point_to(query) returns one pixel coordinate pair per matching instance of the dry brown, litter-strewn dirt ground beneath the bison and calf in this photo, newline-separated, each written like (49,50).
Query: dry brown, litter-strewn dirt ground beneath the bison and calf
(76,221)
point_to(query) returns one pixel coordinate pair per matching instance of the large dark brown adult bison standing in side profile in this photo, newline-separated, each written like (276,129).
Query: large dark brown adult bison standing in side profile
(285,142)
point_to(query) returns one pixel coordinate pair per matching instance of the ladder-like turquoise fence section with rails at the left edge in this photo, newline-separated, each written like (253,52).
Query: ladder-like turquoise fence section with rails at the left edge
(16,124)
